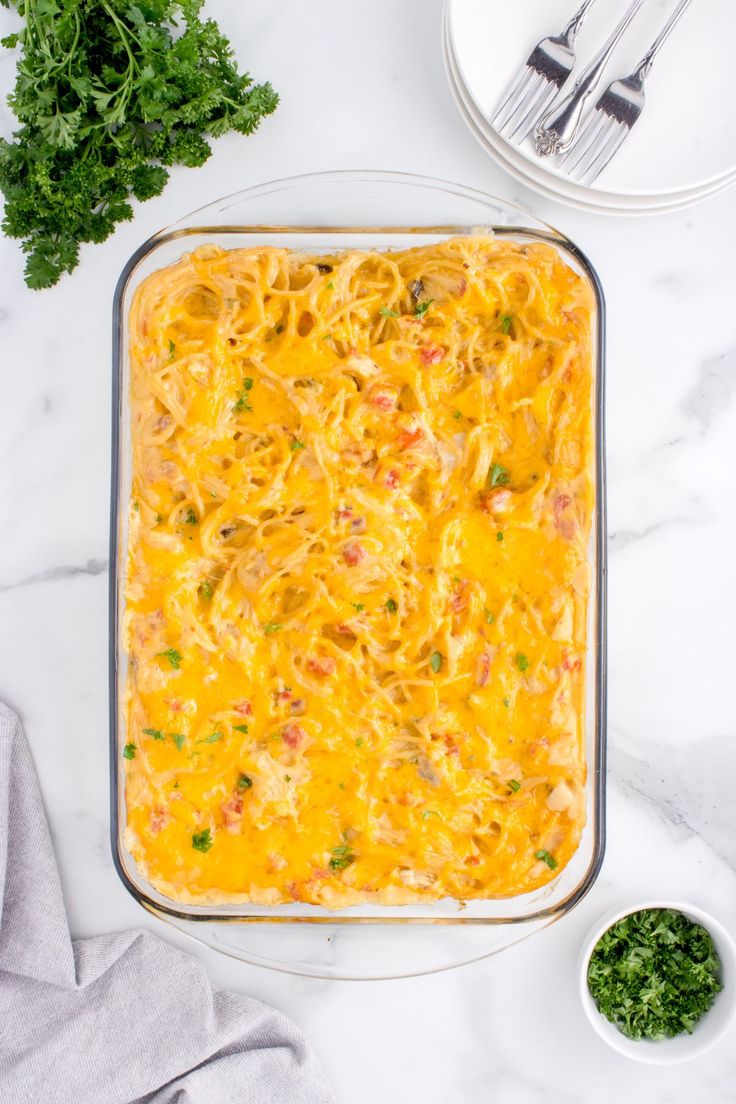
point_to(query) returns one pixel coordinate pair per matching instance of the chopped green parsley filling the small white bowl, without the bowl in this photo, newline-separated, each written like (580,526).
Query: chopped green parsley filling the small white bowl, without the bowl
(654,974)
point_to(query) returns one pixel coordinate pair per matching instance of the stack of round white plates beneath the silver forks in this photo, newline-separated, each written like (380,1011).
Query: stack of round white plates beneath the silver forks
(682,150)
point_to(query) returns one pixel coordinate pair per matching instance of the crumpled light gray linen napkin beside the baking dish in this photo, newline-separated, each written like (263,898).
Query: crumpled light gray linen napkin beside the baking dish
(124,1018)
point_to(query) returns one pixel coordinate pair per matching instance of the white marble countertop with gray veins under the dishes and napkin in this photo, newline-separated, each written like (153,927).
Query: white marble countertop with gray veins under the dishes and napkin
(364,87)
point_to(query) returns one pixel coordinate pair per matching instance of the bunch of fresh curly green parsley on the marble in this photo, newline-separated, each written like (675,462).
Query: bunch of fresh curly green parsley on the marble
(109,94)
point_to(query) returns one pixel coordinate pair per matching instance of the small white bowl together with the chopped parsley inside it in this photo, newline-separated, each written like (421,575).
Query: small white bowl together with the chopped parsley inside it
(658,982)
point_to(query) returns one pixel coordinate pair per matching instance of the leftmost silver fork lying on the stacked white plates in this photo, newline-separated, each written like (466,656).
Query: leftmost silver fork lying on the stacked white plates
(547,69)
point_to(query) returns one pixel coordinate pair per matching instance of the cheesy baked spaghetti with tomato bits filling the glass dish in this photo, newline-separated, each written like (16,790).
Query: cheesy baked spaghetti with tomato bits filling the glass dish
(357,582)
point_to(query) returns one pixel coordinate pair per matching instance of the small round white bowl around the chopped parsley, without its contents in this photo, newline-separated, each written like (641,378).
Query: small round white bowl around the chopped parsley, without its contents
(708,1032)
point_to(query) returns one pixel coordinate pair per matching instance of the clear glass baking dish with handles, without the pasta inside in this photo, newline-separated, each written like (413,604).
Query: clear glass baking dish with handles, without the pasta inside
(328,213)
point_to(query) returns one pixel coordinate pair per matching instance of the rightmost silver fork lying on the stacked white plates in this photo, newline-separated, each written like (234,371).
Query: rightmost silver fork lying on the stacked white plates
(616,112)
